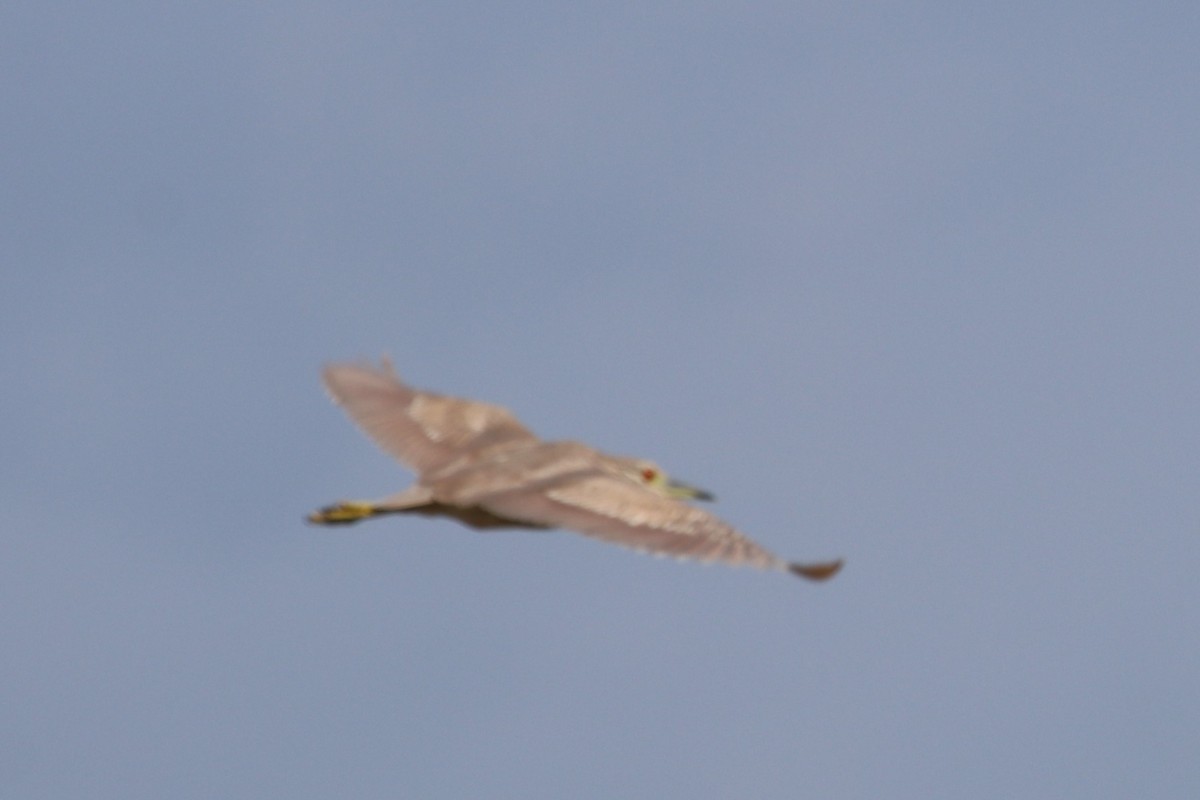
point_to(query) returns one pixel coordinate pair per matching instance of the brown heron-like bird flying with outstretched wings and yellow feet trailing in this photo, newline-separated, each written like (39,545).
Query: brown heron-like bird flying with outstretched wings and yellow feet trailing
(478,465)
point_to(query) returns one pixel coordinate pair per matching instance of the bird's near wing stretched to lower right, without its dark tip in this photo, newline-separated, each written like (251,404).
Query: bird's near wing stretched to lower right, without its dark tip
(603,506)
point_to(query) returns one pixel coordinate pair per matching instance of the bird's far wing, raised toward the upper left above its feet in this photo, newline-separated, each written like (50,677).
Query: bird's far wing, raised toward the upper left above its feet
(423,430)
